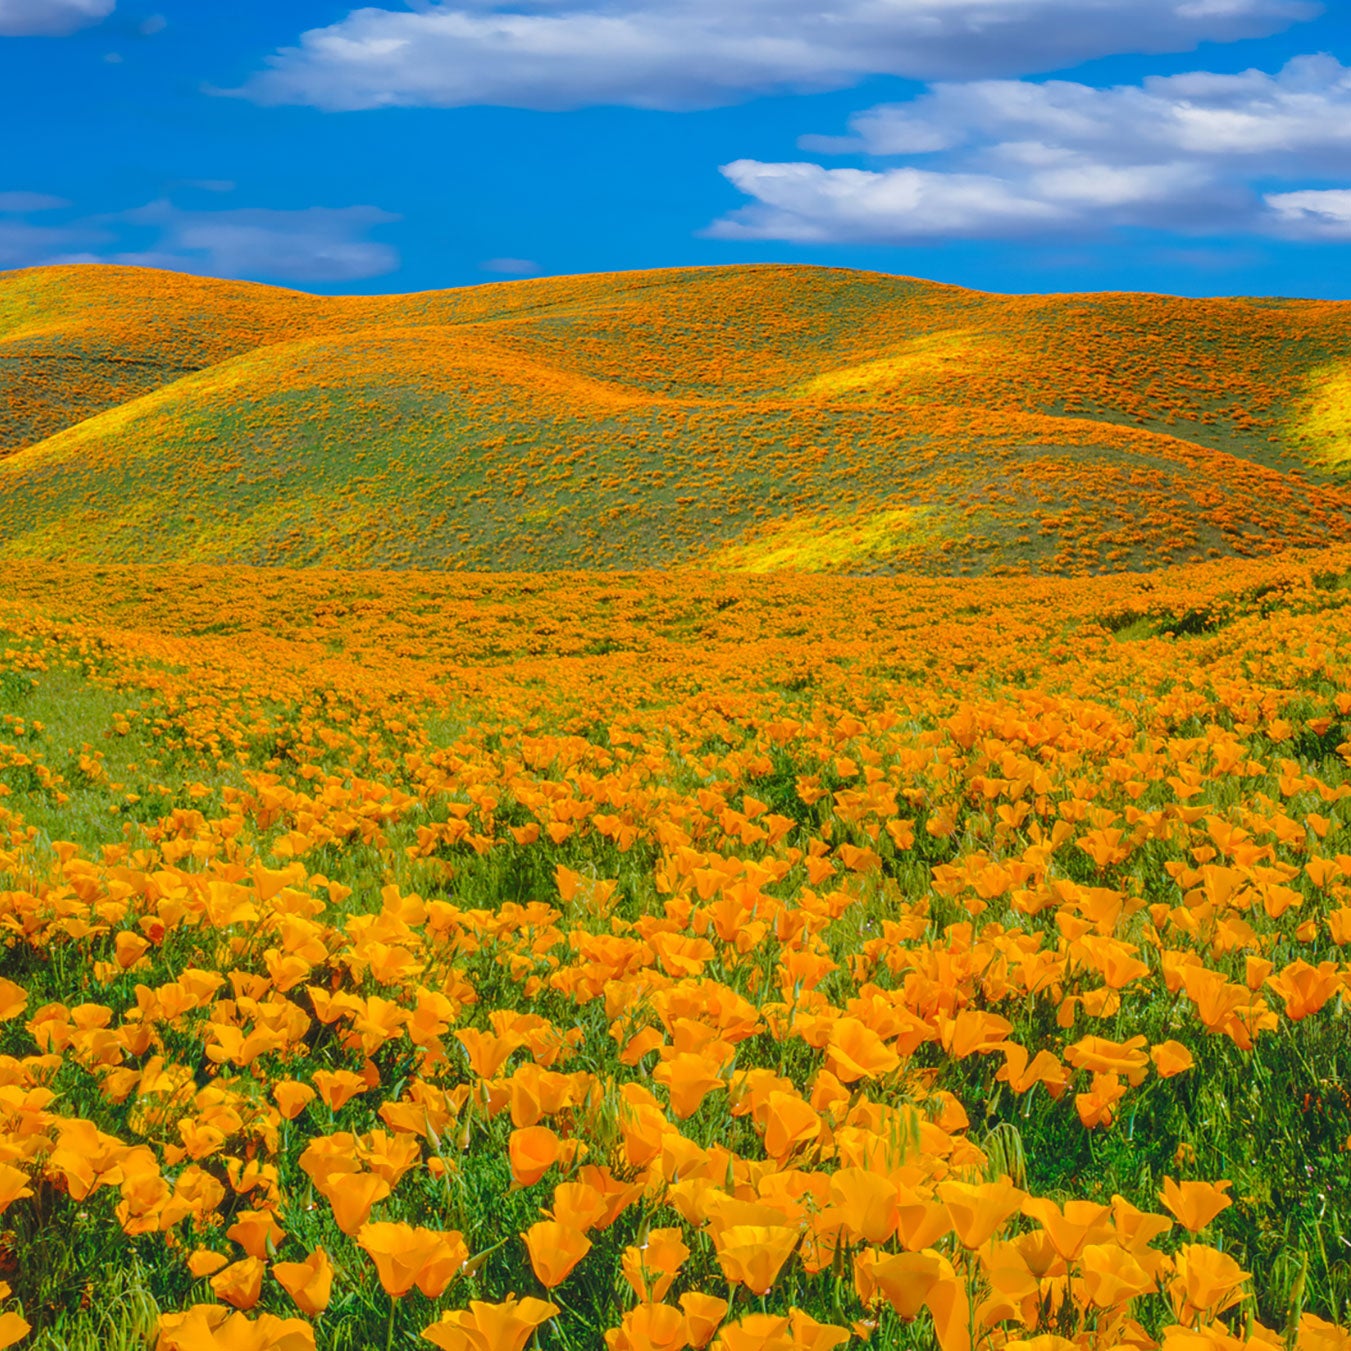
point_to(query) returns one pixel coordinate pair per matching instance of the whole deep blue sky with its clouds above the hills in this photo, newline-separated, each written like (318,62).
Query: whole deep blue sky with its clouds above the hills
(1191,147)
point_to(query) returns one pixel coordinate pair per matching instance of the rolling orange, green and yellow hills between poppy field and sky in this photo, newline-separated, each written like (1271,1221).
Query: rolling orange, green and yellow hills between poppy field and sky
(733,418)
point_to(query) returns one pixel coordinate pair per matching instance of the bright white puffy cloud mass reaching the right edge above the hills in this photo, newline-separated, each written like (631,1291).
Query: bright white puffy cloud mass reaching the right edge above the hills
(1194,153)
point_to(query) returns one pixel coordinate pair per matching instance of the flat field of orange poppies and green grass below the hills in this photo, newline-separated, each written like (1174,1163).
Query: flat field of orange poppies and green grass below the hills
(657,961)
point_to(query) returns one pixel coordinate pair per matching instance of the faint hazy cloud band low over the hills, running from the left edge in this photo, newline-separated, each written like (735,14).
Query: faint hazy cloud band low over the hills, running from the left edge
(313,245)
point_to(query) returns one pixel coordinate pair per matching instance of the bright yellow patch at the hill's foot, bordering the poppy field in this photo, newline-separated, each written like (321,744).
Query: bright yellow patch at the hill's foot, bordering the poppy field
(829,542)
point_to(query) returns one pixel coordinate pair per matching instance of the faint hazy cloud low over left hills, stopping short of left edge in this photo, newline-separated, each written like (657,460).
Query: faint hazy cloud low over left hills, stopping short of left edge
(318,244)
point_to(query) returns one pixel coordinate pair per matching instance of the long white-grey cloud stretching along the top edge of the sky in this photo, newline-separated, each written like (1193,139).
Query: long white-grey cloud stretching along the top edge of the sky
(705,53)
